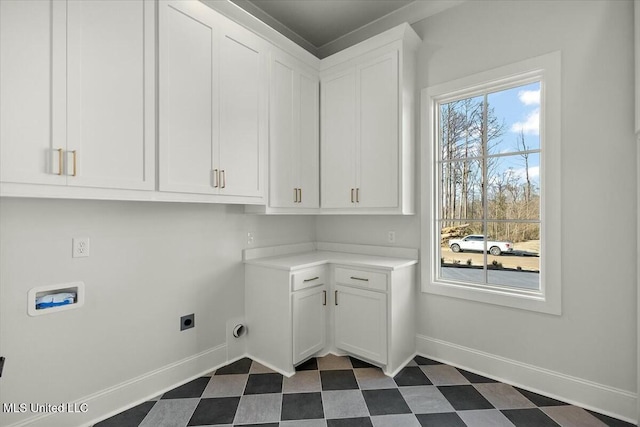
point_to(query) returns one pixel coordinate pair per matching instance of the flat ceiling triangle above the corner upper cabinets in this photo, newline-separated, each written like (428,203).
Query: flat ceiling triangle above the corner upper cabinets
(320,22)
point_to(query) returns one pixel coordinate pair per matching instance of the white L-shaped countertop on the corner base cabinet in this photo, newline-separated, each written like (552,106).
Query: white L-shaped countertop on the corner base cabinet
(298,261)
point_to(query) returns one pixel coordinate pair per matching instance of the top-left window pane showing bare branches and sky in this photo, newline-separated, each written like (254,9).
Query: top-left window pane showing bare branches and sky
(460,128)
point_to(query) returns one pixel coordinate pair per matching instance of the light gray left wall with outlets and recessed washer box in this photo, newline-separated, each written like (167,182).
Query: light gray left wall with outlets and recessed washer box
(150,263)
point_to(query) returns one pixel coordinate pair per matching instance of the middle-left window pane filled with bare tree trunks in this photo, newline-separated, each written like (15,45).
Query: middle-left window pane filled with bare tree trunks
(461,190)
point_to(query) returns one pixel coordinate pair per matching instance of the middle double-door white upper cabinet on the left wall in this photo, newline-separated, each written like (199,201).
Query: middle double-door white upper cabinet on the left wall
(213,110)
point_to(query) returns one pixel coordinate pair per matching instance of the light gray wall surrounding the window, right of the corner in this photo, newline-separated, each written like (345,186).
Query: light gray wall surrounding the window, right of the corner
(595,337)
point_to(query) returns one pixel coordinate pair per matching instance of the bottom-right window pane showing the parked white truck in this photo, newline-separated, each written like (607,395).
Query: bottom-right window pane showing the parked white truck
(520,267)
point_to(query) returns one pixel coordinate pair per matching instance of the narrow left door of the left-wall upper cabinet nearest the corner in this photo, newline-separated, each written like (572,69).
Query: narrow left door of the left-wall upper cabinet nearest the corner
(283,150)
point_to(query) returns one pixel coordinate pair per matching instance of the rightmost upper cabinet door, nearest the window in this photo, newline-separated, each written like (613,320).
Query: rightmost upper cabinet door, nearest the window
(378,147)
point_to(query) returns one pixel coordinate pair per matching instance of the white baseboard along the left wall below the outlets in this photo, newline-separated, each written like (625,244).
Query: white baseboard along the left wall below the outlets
(116,399)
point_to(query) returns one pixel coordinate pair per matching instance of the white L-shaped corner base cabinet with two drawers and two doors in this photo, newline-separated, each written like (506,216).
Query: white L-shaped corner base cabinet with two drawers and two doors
(296,310)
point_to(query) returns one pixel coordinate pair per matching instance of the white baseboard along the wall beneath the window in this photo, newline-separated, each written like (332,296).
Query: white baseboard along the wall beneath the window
(587,394)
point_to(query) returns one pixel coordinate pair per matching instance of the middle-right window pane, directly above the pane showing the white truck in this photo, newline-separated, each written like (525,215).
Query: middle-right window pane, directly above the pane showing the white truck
(513,190)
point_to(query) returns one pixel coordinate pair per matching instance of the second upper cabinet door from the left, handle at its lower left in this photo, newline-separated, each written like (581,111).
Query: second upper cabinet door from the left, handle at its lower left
(110,94)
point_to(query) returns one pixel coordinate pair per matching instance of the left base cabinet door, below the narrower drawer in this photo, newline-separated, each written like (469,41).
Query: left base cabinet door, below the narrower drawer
(309,322)
